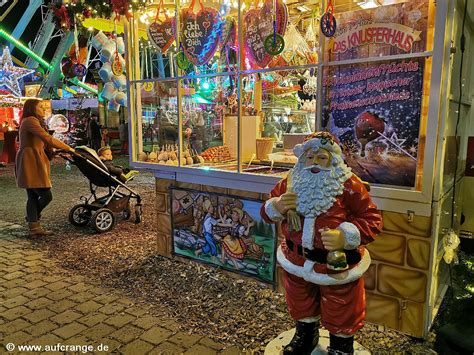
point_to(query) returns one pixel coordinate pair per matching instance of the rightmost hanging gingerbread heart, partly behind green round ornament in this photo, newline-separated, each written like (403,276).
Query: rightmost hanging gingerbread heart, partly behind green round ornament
(258,25)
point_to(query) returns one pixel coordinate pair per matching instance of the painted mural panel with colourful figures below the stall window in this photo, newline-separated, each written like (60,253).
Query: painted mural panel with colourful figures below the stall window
(223,230)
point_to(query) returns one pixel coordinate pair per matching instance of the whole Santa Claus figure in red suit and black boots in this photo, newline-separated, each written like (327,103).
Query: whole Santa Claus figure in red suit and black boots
(323,253)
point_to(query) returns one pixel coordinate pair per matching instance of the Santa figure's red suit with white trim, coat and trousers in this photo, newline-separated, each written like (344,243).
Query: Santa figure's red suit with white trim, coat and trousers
(310,291)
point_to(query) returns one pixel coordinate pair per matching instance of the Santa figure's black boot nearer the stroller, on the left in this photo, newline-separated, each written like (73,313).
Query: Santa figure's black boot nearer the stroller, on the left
(305,339)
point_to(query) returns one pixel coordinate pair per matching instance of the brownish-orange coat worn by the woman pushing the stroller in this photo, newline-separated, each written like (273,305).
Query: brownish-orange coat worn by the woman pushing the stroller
(32,166)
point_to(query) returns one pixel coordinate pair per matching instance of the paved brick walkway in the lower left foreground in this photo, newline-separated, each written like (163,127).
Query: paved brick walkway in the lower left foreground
(41,304)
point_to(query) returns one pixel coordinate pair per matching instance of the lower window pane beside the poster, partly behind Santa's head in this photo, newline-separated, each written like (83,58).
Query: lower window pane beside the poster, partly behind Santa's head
(278,111)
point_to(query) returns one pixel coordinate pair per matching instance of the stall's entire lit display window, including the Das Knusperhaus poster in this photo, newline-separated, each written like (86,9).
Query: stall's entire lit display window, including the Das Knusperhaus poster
(236,85)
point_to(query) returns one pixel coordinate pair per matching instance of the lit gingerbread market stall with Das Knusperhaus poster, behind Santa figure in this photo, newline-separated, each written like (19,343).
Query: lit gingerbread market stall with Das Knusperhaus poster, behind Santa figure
(220,93)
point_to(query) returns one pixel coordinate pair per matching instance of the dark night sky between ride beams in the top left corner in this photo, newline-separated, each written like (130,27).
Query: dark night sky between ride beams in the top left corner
(30,32)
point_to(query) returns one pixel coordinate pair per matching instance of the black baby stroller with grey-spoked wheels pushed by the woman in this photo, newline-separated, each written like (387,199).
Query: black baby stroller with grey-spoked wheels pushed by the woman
(101,211)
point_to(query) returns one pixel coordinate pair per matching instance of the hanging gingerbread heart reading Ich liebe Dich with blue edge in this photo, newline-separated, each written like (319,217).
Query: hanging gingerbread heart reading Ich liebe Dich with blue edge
(200,33)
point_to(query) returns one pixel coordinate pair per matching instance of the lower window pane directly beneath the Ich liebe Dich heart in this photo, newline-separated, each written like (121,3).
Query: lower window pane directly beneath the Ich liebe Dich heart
(209,111)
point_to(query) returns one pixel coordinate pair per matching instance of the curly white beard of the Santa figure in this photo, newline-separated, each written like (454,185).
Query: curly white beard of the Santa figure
(317,192)
